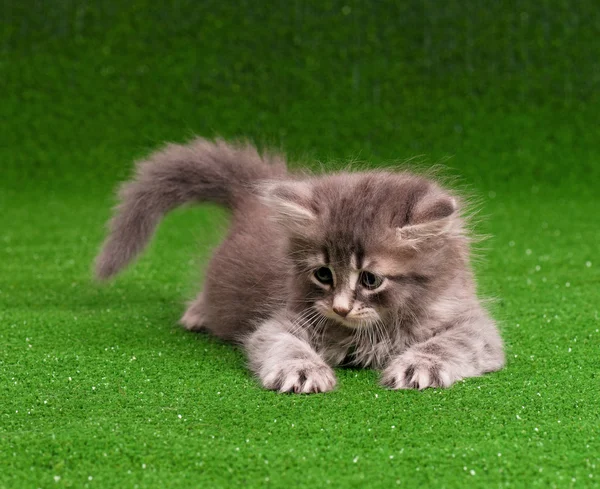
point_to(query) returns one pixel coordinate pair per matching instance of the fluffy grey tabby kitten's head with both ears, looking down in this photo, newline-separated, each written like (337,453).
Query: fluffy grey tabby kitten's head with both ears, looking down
(368,247)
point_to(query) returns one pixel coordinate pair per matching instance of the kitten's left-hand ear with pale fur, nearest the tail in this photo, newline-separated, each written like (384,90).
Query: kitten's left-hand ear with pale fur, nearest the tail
(290,202)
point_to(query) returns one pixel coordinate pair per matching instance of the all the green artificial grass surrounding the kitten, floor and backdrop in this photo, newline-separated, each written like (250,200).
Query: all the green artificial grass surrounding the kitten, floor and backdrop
(98,385)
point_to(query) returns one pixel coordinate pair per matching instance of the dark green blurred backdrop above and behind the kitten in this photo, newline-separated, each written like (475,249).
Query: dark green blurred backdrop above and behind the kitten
(505,92)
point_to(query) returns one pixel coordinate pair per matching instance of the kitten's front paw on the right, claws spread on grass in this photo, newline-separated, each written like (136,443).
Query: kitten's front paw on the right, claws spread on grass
(414,371)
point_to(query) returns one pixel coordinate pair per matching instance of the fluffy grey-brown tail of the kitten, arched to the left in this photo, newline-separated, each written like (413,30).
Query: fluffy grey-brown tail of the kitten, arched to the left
(201,171)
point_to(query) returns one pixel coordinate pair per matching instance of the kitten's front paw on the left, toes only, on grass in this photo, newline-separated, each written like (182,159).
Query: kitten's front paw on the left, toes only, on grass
(300,376)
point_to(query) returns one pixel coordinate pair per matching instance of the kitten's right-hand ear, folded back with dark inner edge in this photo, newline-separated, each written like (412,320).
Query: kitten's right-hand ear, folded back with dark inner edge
(433,216)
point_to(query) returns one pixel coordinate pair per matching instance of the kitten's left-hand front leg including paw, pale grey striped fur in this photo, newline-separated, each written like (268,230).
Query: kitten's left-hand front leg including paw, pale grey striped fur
(284,360)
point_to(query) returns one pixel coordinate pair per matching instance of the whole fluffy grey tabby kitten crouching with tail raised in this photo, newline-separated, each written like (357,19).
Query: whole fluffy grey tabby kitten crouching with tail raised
(368,269)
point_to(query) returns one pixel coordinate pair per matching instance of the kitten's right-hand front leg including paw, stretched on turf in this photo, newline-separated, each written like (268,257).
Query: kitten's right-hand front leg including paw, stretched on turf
(463,350)
